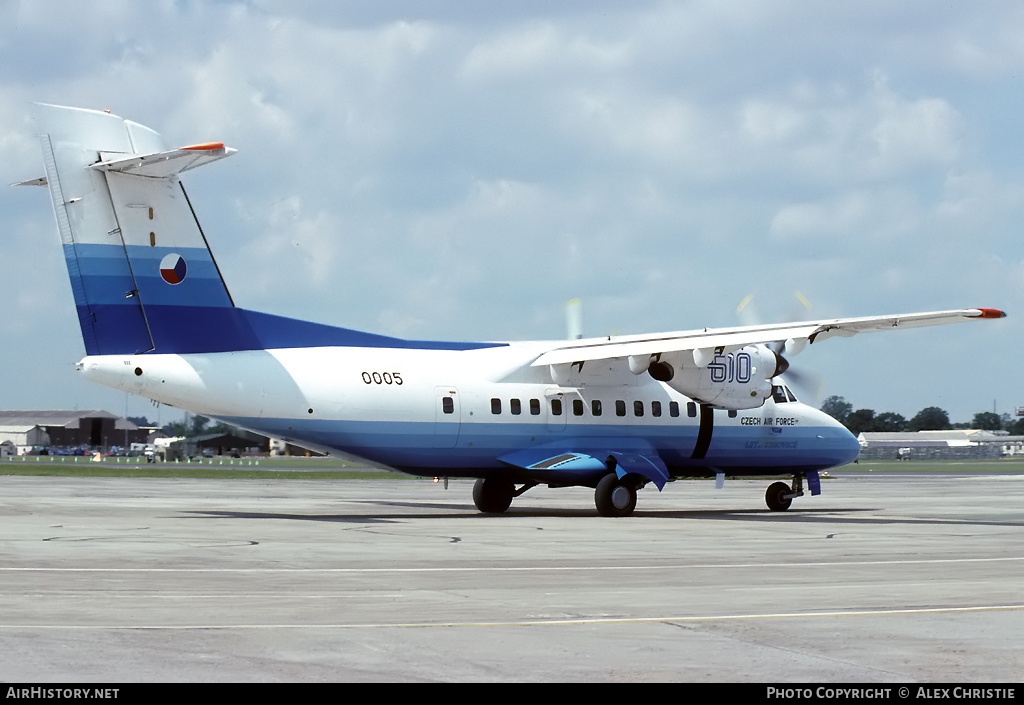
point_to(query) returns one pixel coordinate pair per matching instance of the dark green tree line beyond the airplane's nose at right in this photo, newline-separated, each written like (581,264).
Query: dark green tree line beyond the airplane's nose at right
(929,419)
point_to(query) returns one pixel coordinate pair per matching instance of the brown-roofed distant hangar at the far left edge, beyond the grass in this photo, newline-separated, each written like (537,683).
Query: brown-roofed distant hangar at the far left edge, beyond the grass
(64,430)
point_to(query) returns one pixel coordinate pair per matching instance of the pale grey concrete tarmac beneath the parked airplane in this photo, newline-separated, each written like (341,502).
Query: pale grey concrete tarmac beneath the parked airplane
(884,578)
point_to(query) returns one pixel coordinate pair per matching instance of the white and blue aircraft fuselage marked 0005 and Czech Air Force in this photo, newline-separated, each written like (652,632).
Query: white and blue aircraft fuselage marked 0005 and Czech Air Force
(458,413)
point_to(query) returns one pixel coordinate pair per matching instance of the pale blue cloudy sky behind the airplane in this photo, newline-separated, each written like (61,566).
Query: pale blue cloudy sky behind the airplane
(460,171)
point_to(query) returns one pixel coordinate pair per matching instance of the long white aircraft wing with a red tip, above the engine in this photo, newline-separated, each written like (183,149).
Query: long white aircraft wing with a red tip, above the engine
(707,343)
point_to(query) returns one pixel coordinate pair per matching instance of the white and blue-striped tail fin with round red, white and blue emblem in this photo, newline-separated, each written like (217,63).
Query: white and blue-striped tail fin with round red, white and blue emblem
(142,272)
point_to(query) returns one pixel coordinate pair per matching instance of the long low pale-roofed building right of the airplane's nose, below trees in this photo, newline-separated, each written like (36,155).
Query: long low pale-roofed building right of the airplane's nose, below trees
(966,444)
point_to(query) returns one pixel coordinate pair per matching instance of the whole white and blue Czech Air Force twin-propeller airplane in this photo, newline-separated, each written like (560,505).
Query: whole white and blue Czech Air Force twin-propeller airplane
(614,413)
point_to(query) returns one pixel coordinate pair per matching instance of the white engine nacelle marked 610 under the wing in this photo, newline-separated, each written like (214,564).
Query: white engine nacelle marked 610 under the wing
(737,381)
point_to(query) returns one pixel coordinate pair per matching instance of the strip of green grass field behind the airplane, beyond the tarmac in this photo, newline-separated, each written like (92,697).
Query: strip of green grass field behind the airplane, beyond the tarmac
(329,469)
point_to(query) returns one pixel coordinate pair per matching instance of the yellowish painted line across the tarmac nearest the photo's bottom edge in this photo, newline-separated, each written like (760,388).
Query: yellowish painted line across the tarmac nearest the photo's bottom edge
(532,623)
